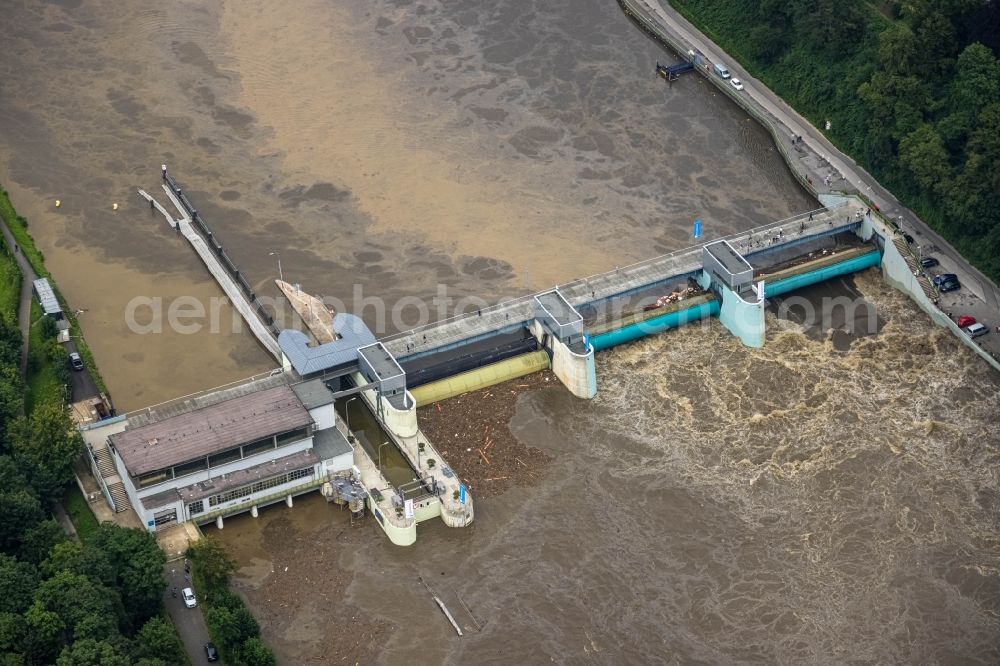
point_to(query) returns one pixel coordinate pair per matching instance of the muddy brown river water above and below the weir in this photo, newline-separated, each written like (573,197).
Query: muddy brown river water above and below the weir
(827,499)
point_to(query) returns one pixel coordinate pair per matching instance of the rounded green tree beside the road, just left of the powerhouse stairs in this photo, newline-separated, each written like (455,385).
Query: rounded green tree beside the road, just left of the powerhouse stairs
(44,446)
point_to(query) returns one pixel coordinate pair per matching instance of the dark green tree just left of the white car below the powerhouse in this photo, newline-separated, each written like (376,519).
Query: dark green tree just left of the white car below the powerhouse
(138,562)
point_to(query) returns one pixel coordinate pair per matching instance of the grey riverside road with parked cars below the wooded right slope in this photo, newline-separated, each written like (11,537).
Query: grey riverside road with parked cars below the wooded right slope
(815,158)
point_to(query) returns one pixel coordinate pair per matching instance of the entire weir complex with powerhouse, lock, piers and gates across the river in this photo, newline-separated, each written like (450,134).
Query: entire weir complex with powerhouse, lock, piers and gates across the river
(390,465)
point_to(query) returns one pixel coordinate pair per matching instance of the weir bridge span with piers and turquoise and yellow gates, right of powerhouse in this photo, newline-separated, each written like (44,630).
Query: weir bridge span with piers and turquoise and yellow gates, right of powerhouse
(570,322)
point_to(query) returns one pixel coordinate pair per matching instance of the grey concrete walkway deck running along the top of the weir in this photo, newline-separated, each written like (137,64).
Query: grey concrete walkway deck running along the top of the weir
(511,315)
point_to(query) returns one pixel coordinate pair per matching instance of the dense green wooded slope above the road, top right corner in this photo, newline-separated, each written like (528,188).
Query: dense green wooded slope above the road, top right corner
(908,91)
